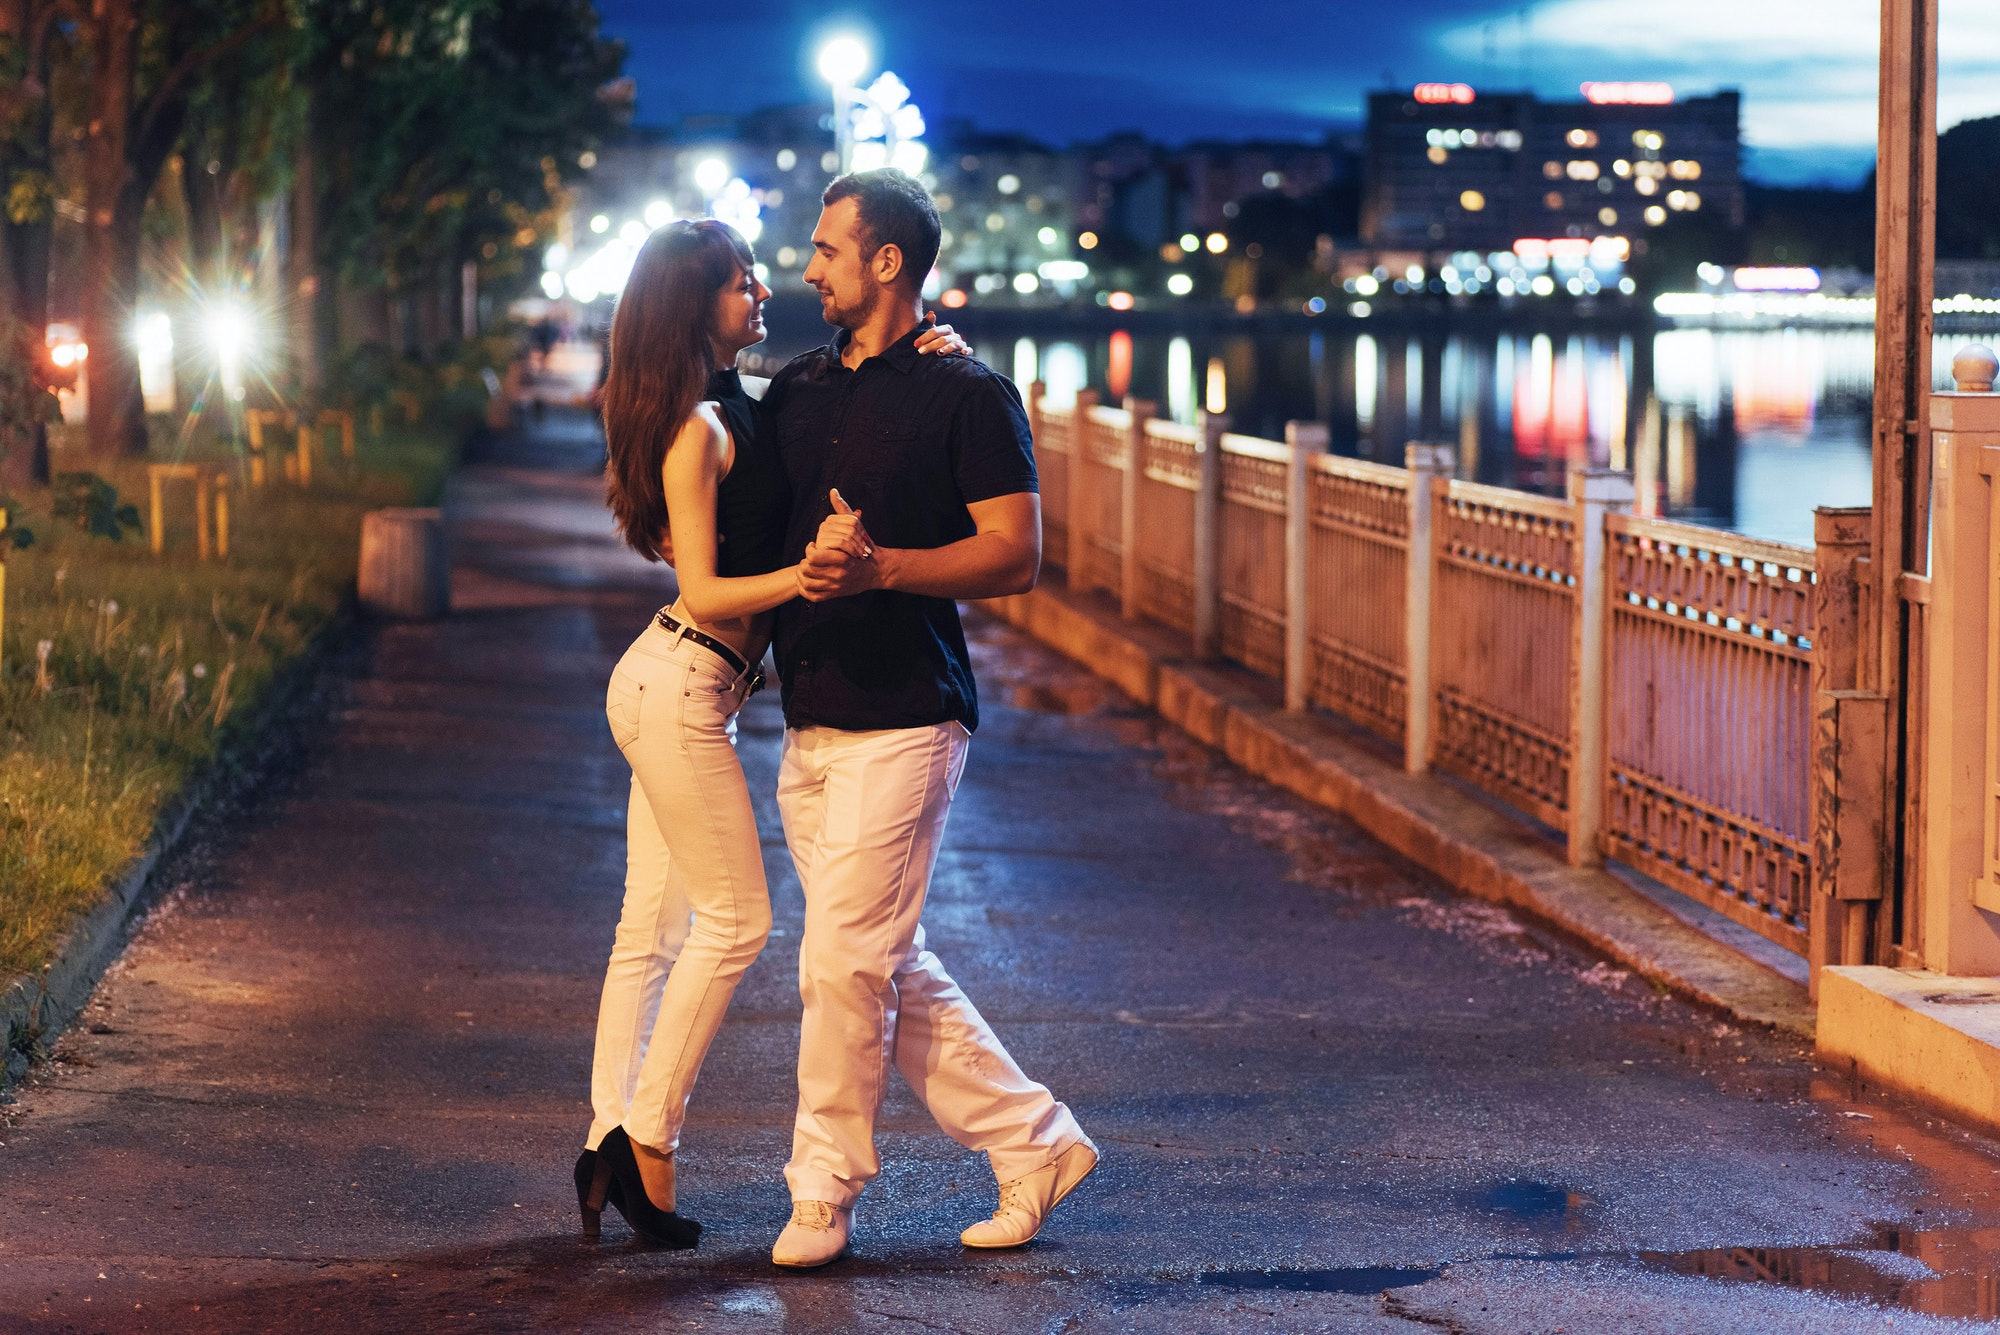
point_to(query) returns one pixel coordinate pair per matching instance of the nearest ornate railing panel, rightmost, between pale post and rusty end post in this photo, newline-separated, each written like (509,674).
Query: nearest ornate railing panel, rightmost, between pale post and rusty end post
(1711,718)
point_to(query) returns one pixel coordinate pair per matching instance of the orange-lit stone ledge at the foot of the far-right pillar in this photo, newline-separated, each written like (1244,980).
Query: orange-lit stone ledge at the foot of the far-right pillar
(1929,1034)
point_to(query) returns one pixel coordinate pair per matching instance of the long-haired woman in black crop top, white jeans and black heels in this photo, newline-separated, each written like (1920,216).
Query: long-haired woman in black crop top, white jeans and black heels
(687,461)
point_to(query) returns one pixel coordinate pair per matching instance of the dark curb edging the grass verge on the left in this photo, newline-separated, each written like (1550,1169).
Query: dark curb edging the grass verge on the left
(37,1008)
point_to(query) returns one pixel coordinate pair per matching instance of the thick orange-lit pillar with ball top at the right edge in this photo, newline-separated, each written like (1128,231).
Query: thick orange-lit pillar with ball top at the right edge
(1961,886)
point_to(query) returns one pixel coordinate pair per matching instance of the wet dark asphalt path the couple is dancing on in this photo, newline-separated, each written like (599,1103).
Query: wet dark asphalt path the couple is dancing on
(339,1080)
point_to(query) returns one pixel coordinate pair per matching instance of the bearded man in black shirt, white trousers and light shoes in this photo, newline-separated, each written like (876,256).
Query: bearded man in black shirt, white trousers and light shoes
(933,455)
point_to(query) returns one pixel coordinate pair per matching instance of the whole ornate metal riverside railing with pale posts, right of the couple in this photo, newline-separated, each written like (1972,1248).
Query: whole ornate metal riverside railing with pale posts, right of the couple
(1641,686)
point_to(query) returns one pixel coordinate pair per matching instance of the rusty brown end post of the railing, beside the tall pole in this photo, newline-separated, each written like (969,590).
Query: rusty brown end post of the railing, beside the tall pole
(1849,750)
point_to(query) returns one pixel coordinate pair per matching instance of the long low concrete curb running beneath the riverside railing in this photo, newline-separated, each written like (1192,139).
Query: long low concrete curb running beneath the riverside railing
(1429,822)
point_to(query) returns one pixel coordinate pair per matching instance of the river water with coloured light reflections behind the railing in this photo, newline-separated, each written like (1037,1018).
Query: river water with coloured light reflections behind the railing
(1737,429)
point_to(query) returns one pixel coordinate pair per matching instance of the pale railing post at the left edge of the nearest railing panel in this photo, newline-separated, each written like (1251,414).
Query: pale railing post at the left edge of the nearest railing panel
(1595,493)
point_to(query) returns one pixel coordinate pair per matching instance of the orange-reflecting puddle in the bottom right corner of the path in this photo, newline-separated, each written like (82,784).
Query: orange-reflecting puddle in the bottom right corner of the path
(1943,1272)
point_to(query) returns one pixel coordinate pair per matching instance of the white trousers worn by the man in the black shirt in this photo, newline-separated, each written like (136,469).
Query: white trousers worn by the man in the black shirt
(865,814)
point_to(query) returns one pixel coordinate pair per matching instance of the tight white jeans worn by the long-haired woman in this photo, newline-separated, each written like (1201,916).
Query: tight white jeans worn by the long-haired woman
(697,908)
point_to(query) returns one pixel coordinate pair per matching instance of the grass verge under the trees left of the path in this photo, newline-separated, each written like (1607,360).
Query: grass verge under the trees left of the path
(123,672)
